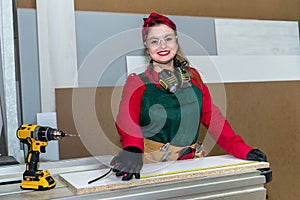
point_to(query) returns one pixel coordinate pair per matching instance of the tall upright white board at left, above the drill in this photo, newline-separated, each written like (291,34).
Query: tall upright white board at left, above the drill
(57,49)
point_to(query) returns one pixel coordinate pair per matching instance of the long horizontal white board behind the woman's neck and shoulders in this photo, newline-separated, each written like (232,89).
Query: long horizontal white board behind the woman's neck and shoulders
(231,69)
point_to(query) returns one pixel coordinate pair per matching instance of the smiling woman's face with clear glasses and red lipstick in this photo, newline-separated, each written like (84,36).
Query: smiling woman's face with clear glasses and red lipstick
(161,44)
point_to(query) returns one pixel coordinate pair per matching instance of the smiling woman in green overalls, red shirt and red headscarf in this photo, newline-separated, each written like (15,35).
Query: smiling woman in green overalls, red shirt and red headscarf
(163,107)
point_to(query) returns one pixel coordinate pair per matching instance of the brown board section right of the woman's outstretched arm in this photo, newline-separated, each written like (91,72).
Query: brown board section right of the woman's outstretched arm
(267,116)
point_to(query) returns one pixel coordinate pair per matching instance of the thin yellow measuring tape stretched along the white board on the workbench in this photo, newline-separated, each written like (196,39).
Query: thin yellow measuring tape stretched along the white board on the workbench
(196,169)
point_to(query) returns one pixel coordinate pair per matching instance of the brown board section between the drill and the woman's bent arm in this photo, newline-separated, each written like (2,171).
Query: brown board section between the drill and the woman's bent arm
(88,112)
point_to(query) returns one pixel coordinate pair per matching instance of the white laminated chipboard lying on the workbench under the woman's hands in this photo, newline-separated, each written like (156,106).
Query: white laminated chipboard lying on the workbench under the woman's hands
(161,172)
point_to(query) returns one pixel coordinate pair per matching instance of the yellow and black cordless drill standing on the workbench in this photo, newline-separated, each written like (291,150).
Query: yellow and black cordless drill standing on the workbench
(37,137)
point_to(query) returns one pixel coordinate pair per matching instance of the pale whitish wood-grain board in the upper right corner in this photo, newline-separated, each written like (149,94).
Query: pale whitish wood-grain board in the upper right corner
(257,37)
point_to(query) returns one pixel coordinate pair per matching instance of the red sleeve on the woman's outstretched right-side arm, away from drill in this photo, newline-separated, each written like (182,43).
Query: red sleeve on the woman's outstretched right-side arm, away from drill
(218,126)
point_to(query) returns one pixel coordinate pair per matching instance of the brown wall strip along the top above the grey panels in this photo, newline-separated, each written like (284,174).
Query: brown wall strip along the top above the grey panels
(255,9)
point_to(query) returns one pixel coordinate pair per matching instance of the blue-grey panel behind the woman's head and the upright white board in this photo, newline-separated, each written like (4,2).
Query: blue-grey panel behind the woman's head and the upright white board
(89,39)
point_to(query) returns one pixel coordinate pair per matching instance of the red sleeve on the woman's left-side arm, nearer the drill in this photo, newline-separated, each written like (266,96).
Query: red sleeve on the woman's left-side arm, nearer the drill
(127,121)
